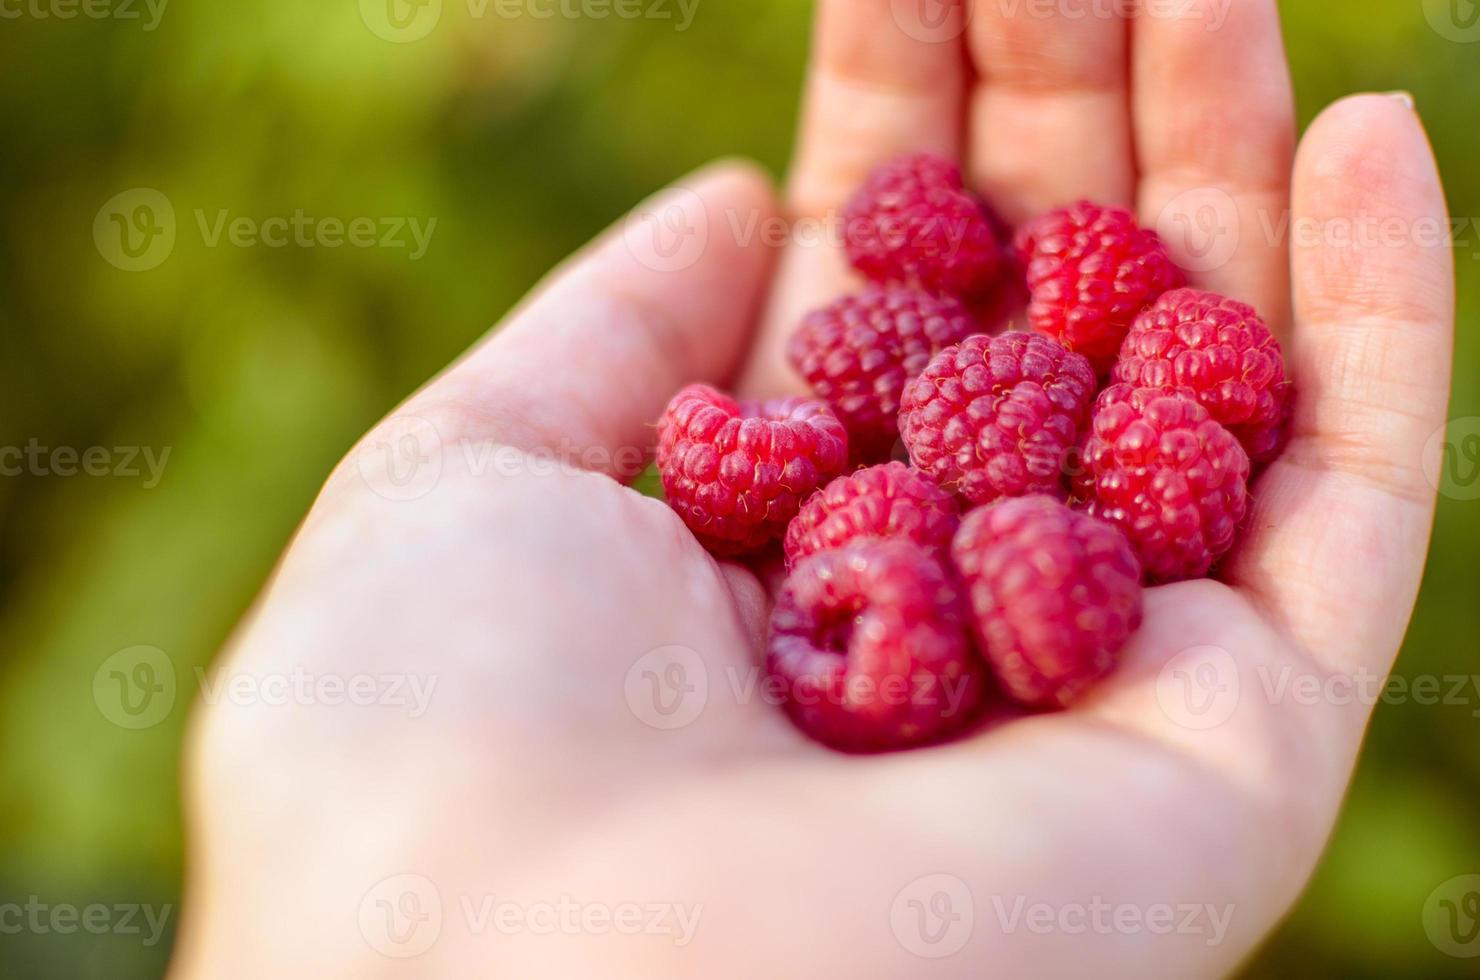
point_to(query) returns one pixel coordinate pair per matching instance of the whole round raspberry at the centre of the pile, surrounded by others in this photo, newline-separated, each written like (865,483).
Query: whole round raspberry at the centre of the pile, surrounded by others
(997,417)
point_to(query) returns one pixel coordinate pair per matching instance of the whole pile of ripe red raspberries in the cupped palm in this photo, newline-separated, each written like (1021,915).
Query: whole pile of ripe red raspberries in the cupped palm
(1052,471)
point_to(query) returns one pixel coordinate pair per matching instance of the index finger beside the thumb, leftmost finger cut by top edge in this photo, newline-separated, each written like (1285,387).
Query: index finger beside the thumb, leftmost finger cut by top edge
(887,78)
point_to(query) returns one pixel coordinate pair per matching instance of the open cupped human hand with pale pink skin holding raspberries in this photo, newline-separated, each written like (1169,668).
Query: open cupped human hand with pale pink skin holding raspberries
(529,596)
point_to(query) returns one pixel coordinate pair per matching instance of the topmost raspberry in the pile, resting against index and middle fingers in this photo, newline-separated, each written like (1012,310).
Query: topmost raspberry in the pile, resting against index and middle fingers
(915,223)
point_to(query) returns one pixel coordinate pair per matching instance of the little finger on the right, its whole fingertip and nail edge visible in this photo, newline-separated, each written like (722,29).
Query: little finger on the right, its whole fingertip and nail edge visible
(1342,522)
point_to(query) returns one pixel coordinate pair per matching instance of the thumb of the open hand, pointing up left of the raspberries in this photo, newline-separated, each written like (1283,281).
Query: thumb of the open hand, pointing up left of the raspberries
(585,366)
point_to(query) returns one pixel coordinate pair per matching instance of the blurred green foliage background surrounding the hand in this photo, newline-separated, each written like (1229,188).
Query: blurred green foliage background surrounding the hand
(255,368)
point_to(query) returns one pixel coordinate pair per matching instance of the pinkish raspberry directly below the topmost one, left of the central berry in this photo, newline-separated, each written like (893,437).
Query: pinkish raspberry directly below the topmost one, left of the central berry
(859,353)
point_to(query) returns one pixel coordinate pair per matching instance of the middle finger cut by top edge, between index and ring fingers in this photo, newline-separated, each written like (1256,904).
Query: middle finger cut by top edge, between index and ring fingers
(1050,115)
